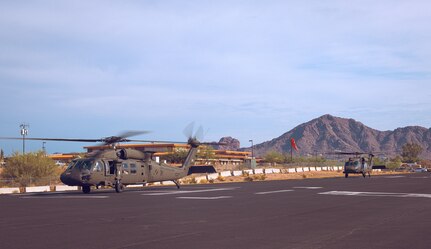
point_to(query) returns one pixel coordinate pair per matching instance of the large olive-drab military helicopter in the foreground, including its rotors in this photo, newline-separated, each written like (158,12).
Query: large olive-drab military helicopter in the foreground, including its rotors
(119,168)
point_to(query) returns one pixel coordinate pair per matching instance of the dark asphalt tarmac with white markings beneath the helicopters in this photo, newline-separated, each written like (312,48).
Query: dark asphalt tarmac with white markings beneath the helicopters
(376,212)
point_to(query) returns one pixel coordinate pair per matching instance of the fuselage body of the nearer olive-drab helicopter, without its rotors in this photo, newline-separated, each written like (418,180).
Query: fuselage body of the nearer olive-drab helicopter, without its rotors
(111,168)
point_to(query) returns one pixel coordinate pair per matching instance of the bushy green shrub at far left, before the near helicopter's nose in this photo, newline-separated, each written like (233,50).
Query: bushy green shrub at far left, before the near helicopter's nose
(29,168)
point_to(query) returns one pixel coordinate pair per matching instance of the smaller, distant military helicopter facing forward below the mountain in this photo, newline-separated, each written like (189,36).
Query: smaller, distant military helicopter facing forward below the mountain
(358,163)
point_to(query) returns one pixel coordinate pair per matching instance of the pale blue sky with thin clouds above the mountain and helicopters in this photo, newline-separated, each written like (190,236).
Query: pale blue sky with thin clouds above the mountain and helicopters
(246,69)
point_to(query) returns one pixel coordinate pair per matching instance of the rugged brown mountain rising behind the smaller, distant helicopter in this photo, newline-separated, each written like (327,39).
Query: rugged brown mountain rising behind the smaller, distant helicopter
(328,133)
